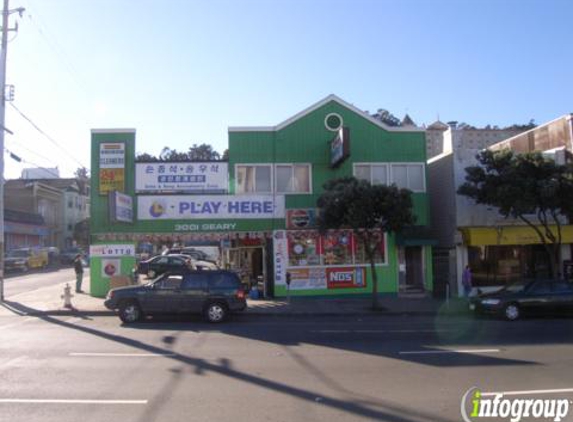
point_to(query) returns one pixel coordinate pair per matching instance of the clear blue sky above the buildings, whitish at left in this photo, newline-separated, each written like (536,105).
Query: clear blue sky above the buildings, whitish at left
(182,71)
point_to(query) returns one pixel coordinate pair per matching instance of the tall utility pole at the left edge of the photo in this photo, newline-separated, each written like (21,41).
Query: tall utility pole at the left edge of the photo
(6,12)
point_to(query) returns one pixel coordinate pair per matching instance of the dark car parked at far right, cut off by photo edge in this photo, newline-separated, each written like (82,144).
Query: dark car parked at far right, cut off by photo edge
(526,297)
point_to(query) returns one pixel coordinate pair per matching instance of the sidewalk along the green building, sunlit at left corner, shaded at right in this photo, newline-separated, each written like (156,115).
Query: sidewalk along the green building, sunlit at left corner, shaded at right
(47,300)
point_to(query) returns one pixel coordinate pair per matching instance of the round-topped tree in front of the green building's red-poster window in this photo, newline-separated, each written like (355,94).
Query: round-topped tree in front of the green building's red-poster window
(369,211)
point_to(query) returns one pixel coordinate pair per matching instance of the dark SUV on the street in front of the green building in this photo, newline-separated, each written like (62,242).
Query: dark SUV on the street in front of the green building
(215,294)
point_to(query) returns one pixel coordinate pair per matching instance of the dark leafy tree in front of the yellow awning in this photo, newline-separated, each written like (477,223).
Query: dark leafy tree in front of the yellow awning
(529,187)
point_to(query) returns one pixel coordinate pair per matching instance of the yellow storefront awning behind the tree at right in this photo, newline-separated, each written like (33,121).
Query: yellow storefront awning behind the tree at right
(509,235)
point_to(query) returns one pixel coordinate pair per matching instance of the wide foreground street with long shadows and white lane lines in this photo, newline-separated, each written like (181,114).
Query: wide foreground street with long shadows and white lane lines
(398,369)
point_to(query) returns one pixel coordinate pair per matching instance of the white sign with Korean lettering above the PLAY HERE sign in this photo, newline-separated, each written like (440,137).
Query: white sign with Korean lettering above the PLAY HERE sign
(194,177)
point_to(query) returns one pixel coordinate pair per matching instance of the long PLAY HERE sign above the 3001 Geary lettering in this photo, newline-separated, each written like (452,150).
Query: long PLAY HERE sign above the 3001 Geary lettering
(188,207)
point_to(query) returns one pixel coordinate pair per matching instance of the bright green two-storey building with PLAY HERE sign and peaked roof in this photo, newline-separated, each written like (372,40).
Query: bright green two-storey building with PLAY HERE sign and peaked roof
(259,208)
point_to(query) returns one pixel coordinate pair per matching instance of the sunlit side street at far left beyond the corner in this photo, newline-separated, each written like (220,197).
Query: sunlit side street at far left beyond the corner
(15,284)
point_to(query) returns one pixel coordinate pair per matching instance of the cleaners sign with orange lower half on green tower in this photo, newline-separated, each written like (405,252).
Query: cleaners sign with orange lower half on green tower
(111,167)
